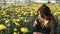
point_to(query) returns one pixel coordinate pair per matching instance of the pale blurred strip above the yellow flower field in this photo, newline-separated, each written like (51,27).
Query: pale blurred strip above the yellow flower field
(24,2)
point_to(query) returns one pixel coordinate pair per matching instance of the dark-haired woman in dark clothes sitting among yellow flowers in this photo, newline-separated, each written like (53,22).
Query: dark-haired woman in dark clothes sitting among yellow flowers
(45,22)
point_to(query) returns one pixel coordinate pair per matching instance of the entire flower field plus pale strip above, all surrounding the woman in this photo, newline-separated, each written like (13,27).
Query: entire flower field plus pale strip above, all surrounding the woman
(17,16)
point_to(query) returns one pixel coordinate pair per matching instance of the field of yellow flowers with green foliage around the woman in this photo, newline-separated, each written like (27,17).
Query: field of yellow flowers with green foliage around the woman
(19,19)
